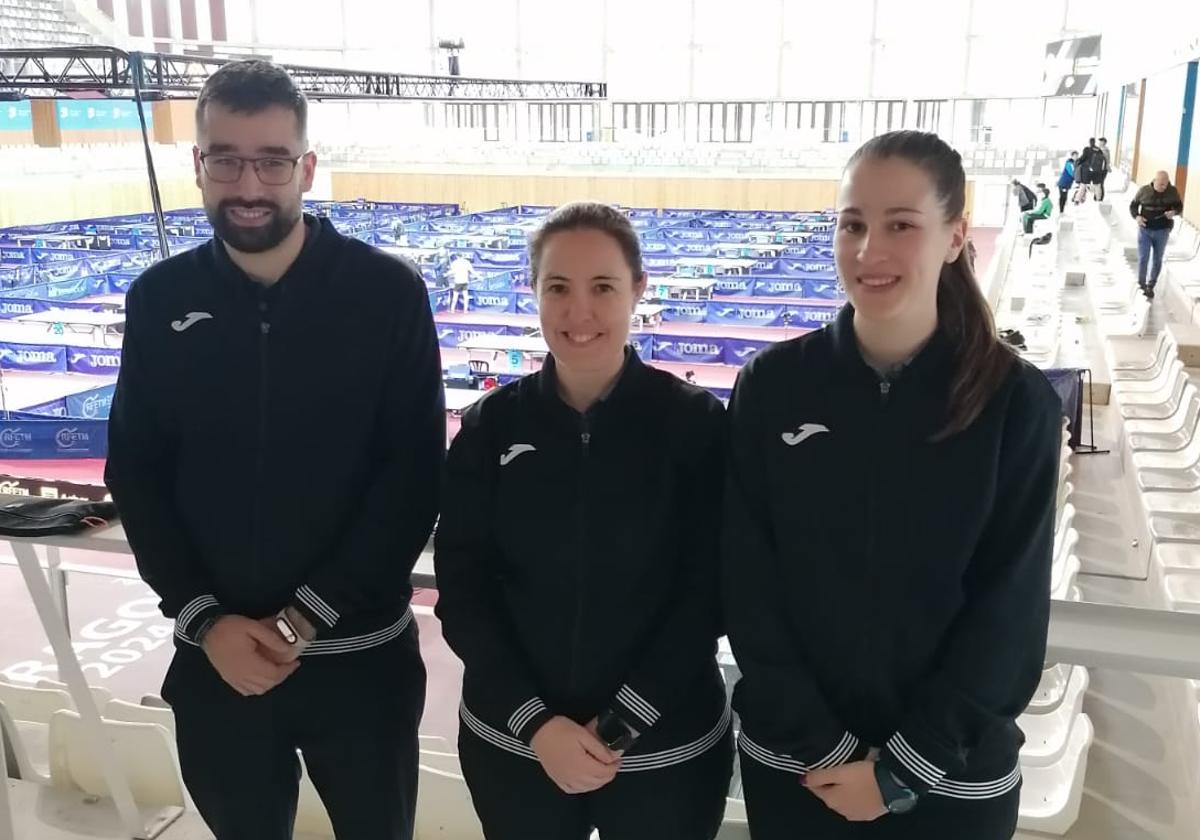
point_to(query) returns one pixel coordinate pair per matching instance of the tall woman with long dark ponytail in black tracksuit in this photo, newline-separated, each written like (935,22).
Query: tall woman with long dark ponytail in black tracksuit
(889,533)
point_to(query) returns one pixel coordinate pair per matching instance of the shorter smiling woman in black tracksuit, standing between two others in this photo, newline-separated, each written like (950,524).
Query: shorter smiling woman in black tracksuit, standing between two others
(589,632)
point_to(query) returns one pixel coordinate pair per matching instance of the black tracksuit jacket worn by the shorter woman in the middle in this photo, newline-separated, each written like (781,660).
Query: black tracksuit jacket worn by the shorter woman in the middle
(578,562)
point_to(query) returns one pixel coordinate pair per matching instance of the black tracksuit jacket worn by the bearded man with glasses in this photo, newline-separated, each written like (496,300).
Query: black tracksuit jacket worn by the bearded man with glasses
(280,446)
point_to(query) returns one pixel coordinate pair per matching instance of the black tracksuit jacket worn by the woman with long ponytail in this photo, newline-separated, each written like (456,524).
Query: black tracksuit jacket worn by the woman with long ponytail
(881,590)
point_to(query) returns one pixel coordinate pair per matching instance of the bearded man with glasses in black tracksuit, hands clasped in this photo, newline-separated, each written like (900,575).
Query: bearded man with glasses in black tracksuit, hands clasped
(275,447)
